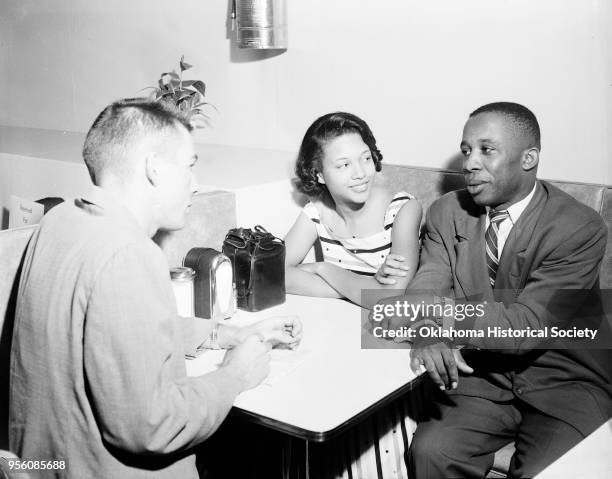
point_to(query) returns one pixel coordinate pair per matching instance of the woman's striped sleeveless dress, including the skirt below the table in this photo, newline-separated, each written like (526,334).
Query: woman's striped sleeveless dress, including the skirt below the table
(377,447)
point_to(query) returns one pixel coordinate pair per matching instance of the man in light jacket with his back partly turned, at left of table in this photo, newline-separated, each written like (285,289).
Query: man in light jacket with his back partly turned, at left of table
(98,358)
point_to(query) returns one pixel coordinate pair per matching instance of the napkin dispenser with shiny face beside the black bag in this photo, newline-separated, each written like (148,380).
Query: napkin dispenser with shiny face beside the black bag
(214,290)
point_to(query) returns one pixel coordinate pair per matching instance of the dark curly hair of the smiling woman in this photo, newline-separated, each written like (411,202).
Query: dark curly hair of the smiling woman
(324,129)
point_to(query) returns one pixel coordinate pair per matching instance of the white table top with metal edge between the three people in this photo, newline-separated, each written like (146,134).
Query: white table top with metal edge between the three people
(329,380)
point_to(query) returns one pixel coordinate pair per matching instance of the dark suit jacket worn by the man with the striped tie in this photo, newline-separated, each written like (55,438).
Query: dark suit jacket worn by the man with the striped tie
(556,245)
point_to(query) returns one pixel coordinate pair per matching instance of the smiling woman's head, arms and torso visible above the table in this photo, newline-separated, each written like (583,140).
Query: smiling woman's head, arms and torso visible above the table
(369,236)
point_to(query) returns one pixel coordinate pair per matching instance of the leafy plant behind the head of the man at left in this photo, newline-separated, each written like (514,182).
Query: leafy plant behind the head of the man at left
(187,96)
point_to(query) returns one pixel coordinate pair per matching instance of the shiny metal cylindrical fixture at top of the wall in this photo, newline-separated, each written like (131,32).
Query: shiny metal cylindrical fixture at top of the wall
(260,24)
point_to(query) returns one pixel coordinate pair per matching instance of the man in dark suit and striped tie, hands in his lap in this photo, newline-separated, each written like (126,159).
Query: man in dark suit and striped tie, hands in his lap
(529,255)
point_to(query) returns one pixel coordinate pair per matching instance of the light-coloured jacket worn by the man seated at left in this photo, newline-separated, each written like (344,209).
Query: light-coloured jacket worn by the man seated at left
(97,365)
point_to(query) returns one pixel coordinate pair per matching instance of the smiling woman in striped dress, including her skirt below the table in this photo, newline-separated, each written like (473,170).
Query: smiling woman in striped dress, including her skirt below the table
(369,239)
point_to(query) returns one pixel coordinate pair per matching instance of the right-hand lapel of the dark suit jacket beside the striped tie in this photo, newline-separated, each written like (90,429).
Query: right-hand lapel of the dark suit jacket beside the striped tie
(510,273)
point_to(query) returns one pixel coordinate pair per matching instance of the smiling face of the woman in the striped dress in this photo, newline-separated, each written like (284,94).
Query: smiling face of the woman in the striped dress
(347,169)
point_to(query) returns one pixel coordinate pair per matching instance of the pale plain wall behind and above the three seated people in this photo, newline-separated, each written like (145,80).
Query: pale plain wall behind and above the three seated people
(413,69)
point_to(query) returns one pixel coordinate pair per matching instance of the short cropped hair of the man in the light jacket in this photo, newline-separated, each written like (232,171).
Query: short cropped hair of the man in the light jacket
(121,126)
